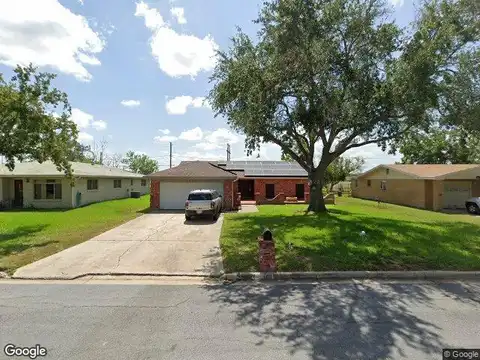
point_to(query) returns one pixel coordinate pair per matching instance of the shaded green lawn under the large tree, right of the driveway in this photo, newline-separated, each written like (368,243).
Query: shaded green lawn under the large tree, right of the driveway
(397,238)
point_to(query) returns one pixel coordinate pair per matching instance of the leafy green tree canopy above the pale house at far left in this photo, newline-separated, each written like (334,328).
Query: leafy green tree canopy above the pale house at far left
(35,120)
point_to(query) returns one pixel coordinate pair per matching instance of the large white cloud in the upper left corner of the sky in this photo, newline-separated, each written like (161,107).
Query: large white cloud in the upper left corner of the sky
(47,34)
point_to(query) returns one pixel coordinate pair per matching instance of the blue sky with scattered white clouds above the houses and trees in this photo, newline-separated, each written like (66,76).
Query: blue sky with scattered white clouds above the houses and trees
(136,72)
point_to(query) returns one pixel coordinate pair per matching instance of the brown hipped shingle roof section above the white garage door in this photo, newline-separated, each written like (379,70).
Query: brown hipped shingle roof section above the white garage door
(194,169)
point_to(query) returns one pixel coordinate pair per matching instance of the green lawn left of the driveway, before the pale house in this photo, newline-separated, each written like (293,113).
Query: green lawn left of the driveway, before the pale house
(29,235)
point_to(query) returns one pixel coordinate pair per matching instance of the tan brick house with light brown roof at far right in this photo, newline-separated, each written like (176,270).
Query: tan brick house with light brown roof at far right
(432,187)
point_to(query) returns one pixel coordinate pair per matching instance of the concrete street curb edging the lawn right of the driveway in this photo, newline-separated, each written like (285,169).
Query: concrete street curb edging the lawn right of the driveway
(348,275)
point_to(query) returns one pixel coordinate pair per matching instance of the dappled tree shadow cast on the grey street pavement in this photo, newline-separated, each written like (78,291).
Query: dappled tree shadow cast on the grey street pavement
(362,321)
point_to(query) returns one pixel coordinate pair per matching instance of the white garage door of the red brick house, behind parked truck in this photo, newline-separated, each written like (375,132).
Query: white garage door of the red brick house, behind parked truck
(174,194)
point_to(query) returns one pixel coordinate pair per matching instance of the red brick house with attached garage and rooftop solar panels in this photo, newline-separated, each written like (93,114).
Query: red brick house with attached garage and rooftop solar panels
(259,181)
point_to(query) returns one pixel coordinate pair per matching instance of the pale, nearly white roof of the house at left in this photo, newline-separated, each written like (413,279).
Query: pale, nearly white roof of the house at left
(47,168)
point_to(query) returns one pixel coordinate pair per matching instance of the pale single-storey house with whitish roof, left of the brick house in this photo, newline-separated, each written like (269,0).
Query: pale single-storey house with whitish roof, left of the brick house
(43,186)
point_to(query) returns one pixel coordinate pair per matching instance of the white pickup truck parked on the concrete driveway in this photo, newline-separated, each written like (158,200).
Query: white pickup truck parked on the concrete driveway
(204,202)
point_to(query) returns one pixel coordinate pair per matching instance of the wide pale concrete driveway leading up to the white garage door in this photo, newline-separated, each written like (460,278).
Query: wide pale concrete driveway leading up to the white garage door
(155,244)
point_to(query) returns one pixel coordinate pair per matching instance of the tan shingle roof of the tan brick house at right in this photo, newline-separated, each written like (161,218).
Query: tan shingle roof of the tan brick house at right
(426,171)
